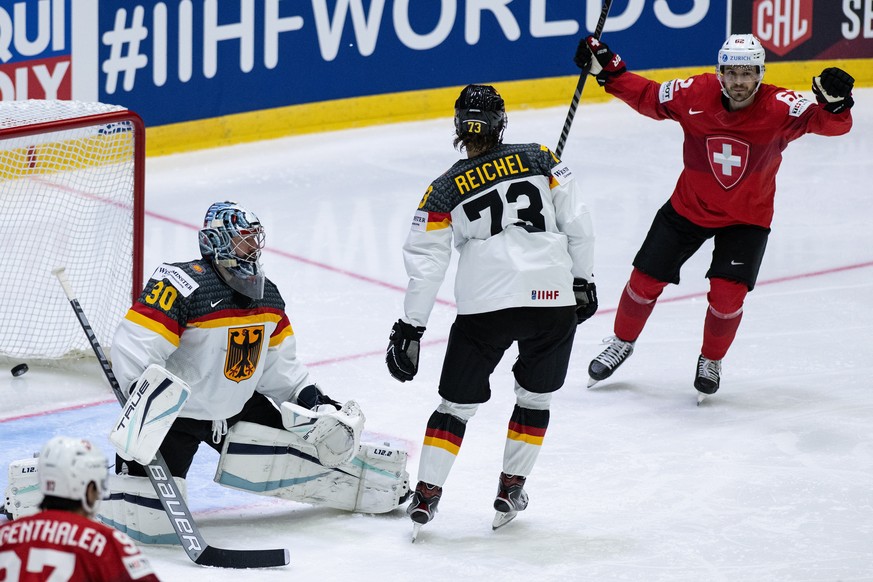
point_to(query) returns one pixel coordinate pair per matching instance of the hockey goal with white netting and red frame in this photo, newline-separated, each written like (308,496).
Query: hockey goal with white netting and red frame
(71,195)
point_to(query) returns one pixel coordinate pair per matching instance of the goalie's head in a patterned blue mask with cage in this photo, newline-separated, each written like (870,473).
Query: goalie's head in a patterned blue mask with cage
(232,238)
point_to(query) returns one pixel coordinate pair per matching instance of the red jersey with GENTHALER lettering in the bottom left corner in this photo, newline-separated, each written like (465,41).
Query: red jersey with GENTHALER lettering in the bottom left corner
(61,545)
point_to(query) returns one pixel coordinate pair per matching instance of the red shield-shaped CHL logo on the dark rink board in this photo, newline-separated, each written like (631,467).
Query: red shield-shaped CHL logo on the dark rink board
(782,26)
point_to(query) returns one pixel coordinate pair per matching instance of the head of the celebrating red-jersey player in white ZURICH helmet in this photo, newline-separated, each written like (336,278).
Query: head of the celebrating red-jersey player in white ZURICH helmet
(740,67)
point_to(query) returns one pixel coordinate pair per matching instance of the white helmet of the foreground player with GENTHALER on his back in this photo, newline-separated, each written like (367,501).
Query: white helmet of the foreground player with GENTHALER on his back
(67,468)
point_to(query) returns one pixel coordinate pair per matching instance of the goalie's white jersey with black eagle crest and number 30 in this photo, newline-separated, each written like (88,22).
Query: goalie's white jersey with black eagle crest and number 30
(223,344)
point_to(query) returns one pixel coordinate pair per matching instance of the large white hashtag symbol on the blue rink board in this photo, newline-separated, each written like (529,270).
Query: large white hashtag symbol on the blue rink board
(120,38)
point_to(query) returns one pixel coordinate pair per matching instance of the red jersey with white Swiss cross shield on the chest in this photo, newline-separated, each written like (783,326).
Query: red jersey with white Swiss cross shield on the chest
(730,157)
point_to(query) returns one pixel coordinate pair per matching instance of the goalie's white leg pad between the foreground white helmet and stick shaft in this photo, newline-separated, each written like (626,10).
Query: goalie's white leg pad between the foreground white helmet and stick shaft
(133,507)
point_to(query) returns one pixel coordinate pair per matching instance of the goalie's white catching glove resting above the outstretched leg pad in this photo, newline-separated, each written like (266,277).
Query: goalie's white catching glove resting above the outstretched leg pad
(336,435)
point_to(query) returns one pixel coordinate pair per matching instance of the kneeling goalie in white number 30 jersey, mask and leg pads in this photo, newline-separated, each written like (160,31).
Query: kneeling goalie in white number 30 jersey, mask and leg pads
(208,355)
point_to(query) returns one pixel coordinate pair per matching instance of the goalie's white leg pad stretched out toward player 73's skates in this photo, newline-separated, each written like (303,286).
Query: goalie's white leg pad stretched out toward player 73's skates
(280,463)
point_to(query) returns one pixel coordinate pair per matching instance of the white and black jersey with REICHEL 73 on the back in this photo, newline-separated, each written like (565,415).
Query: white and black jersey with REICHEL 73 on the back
(521,228)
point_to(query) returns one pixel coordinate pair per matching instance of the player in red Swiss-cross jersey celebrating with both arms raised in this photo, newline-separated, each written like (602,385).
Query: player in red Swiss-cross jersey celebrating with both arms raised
(735,129)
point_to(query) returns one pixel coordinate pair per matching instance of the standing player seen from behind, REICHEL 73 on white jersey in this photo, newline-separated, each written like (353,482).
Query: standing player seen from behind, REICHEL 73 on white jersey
(525,274)
